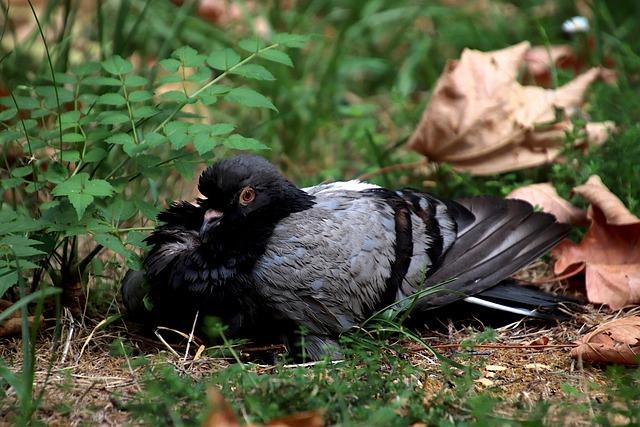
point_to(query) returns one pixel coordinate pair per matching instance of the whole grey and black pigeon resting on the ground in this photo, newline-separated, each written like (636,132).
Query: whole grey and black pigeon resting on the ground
(273,261)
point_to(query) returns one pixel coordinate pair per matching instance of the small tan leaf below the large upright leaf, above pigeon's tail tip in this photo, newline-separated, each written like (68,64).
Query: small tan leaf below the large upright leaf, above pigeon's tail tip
(547,198)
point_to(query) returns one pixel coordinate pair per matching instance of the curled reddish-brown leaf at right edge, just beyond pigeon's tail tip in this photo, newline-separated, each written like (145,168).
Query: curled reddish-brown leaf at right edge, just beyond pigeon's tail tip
(609,253)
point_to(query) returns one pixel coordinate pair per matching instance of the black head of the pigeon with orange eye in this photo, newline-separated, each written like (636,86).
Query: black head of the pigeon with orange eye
(244,193)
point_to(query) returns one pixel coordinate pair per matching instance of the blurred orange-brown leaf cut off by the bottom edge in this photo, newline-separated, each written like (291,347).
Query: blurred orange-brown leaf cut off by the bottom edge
(222,415)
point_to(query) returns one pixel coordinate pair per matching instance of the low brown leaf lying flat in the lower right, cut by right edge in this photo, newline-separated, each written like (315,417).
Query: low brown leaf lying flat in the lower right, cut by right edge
(617,341)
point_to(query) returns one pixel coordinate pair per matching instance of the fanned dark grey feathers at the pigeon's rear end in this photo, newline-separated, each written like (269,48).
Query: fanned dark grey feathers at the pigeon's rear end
(502,237)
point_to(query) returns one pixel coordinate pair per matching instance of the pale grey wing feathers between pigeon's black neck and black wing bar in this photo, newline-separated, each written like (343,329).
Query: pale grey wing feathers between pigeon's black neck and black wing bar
(325,267)
